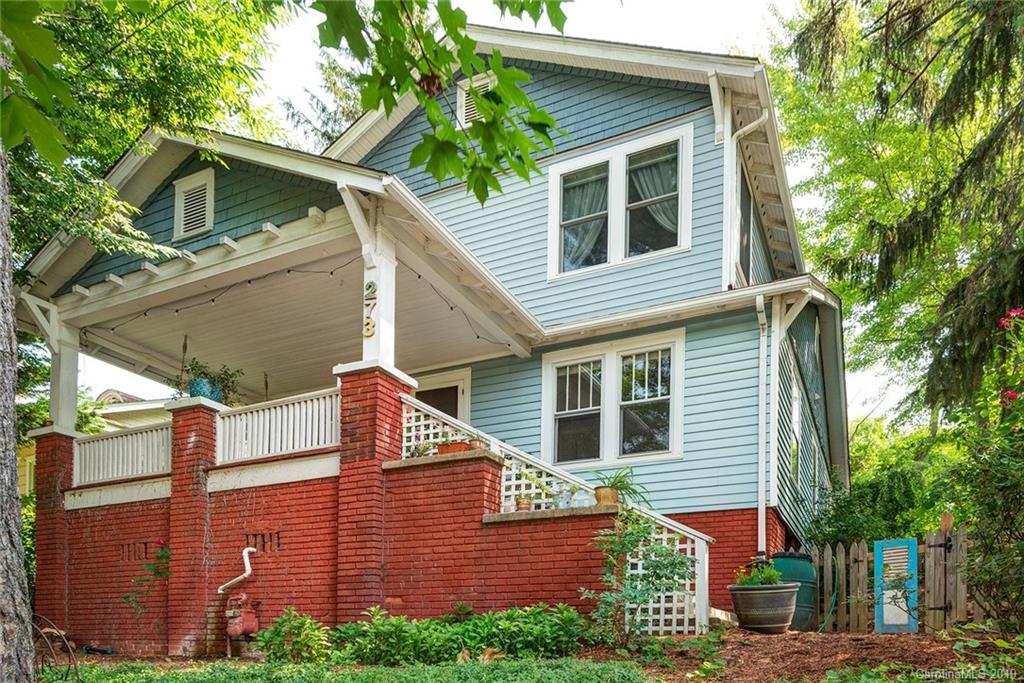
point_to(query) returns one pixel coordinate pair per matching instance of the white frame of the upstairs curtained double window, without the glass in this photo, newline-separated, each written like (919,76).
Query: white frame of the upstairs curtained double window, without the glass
(617,158)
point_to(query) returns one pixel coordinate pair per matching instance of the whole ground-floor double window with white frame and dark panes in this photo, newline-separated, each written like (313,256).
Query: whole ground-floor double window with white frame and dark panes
(619,402)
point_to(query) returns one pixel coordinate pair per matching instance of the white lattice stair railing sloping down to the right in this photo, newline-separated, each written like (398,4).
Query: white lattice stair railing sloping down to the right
(686,612)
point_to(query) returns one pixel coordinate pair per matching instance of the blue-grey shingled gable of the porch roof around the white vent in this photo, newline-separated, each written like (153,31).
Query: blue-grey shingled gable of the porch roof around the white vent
(246,196)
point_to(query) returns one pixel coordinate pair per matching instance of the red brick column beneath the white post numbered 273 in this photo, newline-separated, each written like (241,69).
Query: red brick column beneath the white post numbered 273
(371,436)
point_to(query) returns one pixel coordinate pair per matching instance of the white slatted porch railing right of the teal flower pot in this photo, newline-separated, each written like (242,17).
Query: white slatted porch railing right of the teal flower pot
(288,425)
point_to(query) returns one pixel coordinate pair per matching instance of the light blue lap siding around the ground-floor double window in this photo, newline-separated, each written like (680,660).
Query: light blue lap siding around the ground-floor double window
(718,471)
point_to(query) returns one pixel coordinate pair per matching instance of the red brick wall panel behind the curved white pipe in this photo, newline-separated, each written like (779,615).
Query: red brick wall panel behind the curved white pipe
(293,528)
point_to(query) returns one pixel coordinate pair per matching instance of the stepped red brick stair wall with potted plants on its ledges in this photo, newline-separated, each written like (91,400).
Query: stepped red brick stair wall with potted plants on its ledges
(441,552)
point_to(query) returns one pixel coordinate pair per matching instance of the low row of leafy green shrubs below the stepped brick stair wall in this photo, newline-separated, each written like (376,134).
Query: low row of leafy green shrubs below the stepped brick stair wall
(539,631)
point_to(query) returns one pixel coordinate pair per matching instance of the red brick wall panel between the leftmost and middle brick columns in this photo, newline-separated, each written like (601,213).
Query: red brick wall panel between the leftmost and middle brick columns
(107,548)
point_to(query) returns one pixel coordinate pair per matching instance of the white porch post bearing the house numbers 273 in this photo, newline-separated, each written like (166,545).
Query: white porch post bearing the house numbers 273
(379,300)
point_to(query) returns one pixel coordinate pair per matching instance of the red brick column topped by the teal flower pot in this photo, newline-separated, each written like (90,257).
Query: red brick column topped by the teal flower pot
(194,451)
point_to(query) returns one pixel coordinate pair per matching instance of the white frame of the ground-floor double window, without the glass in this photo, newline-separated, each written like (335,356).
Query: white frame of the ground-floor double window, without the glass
(611,355)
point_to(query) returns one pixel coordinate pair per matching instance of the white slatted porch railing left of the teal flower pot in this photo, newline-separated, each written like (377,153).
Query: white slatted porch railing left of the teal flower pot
(122,455)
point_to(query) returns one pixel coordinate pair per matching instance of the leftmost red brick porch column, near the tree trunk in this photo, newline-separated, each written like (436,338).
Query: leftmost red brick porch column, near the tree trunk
(55,463)
